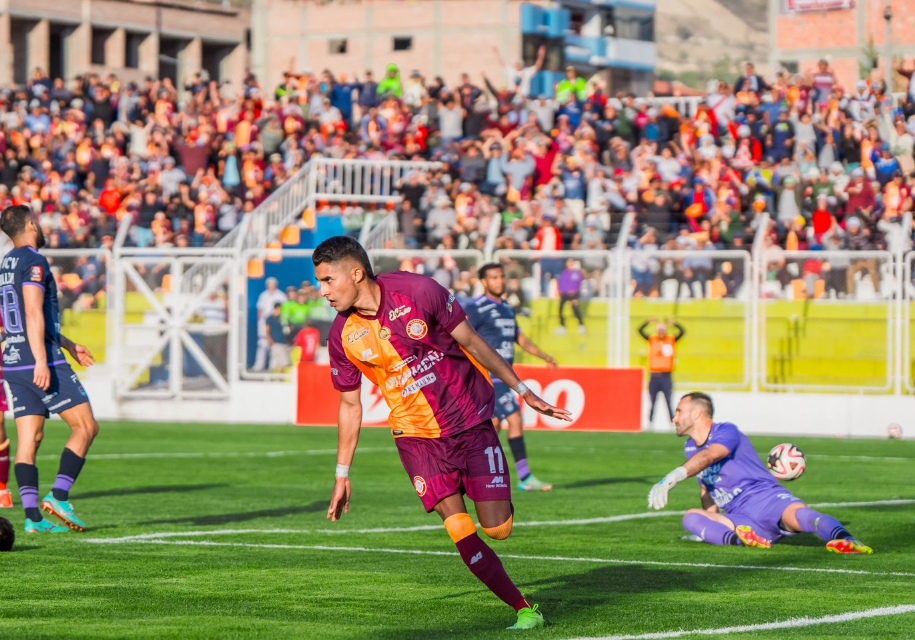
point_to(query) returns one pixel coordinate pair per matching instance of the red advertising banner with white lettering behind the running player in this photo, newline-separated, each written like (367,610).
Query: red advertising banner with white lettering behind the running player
(599,399)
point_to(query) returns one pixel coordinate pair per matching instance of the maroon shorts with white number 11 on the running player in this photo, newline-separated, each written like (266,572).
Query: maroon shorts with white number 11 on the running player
(470,462)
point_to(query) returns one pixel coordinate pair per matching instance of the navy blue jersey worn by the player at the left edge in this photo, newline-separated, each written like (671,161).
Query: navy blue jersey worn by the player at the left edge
(23,267)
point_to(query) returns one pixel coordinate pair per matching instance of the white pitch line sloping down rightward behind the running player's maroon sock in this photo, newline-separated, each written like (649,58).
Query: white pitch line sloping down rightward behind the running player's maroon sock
(421,552)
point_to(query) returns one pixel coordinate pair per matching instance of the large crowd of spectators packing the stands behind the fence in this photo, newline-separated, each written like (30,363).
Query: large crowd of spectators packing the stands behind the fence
(832,165)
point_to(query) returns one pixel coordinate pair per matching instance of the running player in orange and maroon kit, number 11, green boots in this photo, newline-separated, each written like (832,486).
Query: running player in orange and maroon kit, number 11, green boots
(408,335)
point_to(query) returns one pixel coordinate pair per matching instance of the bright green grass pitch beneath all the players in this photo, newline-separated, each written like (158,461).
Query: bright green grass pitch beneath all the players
(631,576)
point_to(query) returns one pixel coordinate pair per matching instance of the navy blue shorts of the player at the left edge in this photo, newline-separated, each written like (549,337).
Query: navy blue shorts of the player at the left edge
(64,392)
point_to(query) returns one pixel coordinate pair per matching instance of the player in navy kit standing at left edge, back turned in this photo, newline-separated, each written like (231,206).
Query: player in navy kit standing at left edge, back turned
(37,372)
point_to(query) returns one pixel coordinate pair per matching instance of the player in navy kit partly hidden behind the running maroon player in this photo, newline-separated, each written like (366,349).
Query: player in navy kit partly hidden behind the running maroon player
(494,319)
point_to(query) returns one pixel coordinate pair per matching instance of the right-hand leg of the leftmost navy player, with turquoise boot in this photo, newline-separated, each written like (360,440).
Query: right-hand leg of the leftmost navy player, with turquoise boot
(83,428)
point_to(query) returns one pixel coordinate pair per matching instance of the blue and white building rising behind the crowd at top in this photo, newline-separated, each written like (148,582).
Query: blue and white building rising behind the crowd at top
(611,36)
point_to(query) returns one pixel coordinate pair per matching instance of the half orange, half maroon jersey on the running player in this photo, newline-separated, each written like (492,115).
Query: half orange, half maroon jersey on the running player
(433,387)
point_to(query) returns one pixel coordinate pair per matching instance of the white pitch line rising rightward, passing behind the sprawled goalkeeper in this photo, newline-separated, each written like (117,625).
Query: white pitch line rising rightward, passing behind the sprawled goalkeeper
(436,527)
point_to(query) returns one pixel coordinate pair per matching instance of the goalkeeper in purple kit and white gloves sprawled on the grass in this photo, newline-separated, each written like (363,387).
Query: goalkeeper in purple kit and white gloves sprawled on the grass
(742,504)
